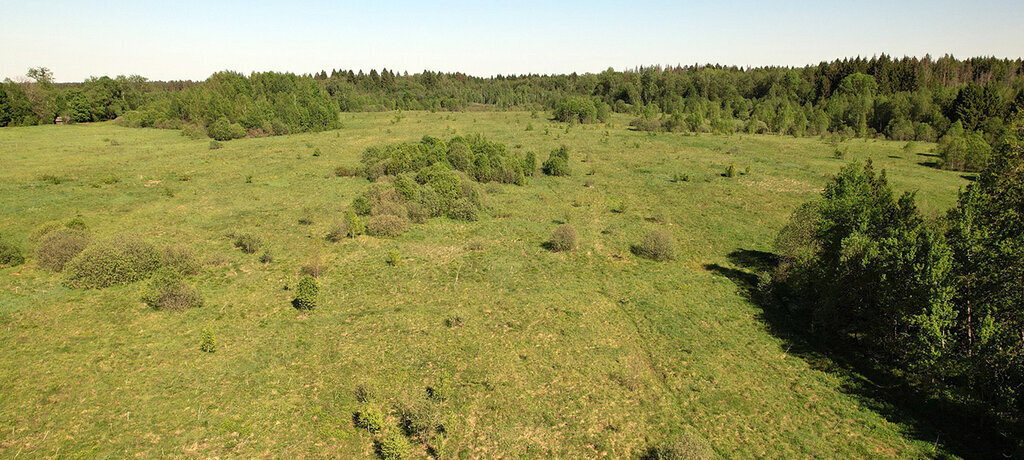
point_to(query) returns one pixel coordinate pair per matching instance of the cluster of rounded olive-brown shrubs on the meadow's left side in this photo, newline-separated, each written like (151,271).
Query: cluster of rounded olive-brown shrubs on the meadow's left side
(69,248)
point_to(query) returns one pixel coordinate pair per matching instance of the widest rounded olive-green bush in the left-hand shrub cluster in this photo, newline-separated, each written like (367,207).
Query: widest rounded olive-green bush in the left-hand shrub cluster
(117,262)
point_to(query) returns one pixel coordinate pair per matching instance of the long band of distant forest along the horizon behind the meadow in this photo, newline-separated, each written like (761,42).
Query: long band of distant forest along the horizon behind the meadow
(962,104)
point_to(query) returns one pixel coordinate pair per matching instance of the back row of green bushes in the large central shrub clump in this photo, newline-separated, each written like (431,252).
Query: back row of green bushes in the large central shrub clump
(480,159)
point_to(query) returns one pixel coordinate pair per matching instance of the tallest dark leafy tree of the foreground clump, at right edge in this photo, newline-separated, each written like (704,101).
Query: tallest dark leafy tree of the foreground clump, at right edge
(987,236)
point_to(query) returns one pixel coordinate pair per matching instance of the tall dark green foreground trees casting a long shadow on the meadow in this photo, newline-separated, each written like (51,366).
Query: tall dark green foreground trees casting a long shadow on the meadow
(936,304)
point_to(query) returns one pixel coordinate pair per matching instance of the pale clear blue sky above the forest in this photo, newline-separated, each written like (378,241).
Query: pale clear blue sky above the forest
(192,39)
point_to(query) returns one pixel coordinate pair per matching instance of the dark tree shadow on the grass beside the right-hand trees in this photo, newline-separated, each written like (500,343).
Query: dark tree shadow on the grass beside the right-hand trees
(955,430)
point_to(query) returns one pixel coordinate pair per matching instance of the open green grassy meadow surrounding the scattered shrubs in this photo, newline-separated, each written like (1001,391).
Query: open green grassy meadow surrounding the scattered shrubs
(588,354)
